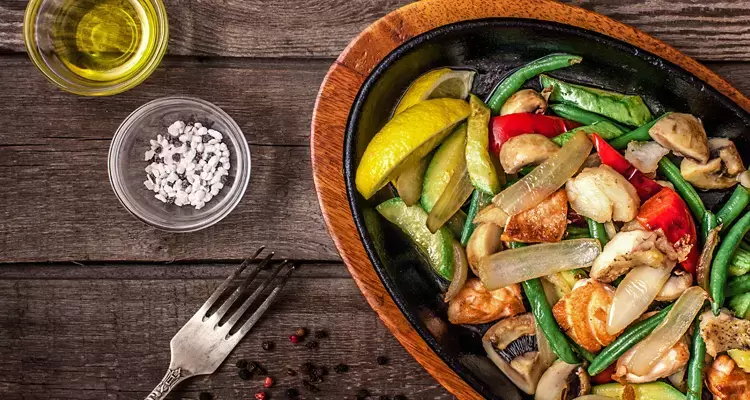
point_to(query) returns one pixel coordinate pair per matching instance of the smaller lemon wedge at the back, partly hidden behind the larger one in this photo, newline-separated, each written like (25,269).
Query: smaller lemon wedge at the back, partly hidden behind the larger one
(439,83)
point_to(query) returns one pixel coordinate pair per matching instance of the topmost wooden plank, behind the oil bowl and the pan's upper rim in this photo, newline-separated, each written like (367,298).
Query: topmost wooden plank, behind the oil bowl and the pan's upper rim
(278,28)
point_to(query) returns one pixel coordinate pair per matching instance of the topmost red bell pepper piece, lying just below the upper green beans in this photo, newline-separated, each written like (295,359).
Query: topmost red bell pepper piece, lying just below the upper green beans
(505,127)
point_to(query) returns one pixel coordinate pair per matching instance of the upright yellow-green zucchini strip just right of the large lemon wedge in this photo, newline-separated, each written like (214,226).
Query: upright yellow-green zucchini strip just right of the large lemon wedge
(481,170)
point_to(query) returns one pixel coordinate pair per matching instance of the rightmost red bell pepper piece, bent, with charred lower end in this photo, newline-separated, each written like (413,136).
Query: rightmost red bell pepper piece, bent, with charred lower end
(667,211)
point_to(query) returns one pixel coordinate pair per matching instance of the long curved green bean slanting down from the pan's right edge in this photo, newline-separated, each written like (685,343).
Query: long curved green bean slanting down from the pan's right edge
(724,255)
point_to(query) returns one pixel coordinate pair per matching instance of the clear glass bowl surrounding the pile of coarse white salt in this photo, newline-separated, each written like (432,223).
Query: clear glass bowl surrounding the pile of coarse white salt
(126,163)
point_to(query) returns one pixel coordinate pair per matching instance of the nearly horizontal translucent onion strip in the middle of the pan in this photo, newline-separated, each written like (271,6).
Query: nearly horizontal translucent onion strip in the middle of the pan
(524,263)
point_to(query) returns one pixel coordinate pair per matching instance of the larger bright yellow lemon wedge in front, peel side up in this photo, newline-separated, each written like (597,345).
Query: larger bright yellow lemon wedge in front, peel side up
(406,138)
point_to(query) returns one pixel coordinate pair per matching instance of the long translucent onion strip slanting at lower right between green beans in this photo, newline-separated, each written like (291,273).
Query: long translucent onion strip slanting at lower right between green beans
(651,350)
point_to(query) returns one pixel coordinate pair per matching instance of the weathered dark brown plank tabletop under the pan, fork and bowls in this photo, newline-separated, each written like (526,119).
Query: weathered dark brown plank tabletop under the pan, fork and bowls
(90,297)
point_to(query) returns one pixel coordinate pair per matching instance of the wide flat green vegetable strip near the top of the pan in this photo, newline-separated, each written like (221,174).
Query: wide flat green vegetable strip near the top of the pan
(630,110)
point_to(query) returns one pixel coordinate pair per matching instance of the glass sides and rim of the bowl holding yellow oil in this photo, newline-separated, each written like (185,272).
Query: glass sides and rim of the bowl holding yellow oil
(39,38)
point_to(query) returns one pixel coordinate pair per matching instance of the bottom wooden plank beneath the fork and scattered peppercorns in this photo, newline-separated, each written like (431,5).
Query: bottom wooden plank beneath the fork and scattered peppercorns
(102,332)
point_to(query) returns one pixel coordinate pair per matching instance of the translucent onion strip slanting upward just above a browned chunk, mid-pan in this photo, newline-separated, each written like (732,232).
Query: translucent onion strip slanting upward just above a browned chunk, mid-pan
(547,178)
